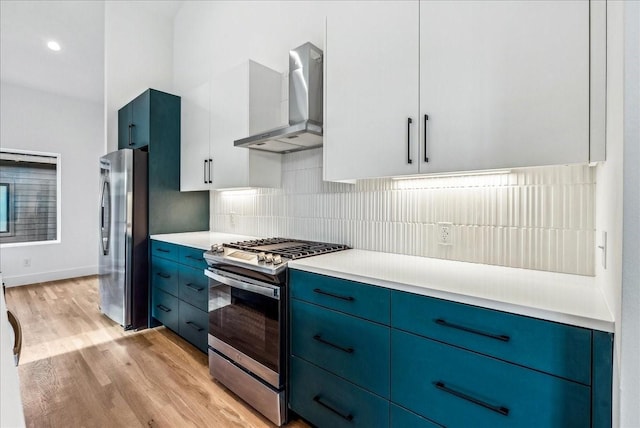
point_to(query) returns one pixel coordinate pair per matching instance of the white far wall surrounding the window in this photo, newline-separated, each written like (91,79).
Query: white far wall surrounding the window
(41,121)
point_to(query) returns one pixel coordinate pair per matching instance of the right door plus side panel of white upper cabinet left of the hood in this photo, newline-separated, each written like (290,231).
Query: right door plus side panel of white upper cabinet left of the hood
(244,100)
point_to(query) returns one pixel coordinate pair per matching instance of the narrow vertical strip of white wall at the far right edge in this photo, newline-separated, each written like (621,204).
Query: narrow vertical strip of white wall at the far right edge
(630,305)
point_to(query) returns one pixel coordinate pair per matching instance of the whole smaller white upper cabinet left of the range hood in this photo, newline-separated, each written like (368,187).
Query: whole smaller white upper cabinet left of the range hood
(234,104)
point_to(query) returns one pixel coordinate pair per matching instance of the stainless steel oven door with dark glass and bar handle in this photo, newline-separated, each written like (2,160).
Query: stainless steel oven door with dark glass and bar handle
(245,323)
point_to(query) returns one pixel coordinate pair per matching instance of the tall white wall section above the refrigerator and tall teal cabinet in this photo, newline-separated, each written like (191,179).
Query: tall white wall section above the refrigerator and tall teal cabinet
(138,56)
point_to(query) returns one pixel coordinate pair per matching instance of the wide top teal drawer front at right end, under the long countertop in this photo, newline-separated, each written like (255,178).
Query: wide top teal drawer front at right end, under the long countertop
(546,346)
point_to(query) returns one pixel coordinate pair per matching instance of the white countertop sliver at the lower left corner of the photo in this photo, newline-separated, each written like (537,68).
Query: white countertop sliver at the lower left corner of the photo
(11,413)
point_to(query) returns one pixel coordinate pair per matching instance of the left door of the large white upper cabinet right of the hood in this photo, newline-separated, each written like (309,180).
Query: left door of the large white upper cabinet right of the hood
(371,78)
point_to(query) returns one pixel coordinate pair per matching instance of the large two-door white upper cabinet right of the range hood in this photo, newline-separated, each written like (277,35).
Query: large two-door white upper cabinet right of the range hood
(504,84)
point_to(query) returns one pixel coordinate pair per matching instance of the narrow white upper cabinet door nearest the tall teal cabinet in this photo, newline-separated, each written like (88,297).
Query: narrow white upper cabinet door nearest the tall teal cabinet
(194,139)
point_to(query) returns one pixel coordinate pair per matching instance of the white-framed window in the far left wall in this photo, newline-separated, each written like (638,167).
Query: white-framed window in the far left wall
(29,197)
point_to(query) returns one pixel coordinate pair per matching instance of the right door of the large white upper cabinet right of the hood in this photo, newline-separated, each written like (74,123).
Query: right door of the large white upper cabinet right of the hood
(505,84)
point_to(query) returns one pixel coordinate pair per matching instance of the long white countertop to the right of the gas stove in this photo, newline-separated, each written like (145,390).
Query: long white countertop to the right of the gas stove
(564,298)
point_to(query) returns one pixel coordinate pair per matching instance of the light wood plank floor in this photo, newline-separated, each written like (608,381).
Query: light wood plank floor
(79,369)
